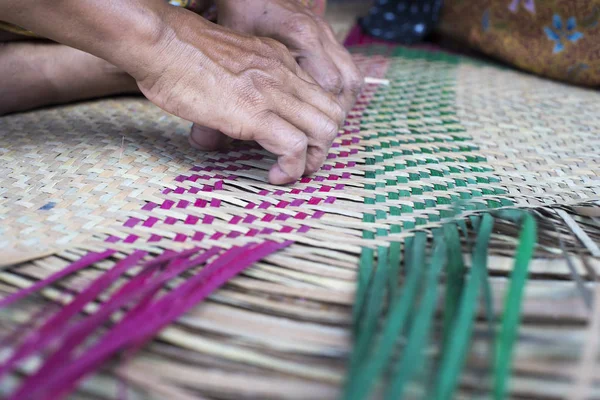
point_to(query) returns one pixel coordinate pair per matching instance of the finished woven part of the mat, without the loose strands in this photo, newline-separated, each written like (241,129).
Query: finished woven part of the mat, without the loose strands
(122,168)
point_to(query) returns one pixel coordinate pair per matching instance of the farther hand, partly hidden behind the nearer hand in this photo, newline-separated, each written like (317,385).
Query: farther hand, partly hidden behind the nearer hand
(308,37)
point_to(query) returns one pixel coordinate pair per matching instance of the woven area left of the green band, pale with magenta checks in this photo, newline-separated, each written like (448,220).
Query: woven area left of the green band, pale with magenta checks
(126,174)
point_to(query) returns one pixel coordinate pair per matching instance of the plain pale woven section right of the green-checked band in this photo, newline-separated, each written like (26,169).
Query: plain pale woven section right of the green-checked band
(540,136)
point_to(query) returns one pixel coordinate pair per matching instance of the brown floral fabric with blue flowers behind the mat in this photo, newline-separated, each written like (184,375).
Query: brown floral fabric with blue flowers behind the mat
(559,39)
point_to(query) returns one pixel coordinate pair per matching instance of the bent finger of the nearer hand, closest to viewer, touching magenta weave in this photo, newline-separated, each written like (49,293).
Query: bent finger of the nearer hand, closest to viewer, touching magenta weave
(287,142)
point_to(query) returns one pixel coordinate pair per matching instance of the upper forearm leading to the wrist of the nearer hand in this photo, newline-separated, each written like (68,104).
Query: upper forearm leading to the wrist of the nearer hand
(122,32)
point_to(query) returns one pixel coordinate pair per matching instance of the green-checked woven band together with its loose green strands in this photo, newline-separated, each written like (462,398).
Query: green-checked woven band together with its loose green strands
(425,170)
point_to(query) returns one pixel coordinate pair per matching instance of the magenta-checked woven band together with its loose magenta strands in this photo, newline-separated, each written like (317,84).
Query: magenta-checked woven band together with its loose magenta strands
(76,344)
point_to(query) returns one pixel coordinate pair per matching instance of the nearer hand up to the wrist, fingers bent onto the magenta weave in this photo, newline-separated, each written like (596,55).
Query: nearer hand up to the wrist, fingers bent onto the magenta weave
(249,88)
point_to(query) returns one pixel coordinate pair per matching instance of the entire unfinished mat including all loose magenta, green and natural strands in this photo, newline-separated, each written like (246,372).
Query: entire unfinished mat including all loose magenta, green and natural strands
(107,195)
